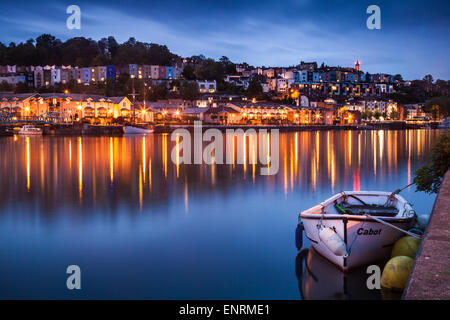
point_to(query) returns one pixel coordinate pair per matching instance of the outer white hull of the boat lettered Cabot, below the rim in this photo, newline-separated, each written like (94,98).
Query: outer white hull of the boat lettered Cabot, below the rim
(366,240)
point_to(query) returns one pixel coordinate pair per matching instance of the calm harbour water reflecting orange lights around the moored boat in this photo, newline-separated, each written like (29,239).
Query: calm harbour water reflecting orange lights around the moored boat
(140,226)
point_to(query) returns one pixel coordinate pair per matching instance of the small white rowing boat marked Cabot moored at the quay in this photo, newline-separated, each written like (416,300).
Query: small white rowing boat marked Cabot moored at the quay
(355,228)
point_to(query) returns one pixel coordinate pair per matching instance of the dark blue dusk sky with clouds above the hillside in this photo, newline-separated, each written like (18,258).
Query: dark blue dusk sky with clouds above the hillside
(413,40)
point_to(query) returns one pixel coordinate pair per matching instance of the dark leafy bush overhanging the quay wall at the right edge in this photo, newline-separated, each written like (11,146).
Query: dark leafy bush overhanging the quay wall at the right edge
(429,177)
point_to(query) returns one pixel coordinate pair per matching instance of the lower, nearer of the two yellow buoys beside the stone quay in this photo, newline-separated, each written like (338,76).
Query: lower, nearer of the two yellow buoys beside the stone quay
(396,273)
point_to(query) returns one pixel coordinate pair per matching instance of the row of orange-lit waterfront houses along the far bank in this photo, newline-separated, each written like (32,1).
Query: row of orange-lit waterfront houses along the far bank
(225,109)
